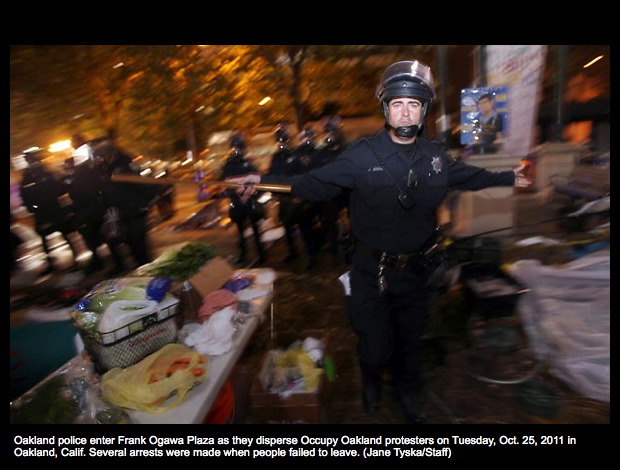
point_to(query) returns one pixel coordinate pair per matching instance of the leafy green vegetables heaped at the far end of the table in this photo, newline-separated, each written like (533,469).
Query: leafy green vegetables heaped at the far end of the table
(184,263)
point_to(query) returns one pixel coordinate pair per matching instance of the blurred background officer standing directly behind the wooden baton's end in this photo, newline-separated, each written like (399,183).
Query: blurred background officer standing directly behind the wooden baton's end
(243,209)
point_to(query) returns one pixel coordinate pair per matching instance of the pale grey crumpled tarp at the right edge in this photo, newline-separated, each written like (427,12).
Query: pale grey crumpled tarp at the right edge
(566,317)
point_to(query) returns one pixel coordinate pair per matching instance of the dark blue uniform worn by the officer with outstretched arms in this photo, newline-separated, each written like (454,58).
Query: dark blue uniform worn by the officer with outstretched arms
(377,171)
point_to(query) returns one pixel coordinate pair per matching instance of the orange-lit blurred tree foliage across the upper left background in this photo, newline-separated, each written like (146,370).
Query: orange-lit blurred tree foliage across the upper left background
(151,97)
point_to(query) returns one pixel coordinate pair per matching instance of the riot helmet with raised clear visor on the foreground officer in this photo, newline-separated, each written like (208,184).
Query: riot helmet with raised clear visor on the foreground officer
(406,79)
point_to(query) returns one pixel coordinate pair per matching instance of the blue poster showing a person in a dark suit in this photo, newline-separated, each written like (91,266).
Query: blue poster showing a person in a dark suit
(484,116)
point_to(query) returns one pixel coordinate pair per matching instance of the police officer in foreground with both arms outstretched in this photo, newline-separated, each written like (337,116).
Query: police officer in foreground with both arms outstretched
(397,179)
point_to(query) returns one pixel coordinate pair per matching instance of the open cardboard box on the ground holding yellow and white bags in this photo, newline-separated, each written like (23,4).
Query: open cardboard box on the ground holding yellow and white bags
(293,408)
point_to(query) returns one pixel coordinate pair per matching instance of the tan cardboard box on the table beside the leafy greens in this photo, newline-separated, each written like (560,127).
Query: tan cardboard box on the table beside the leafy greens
(211,277)
